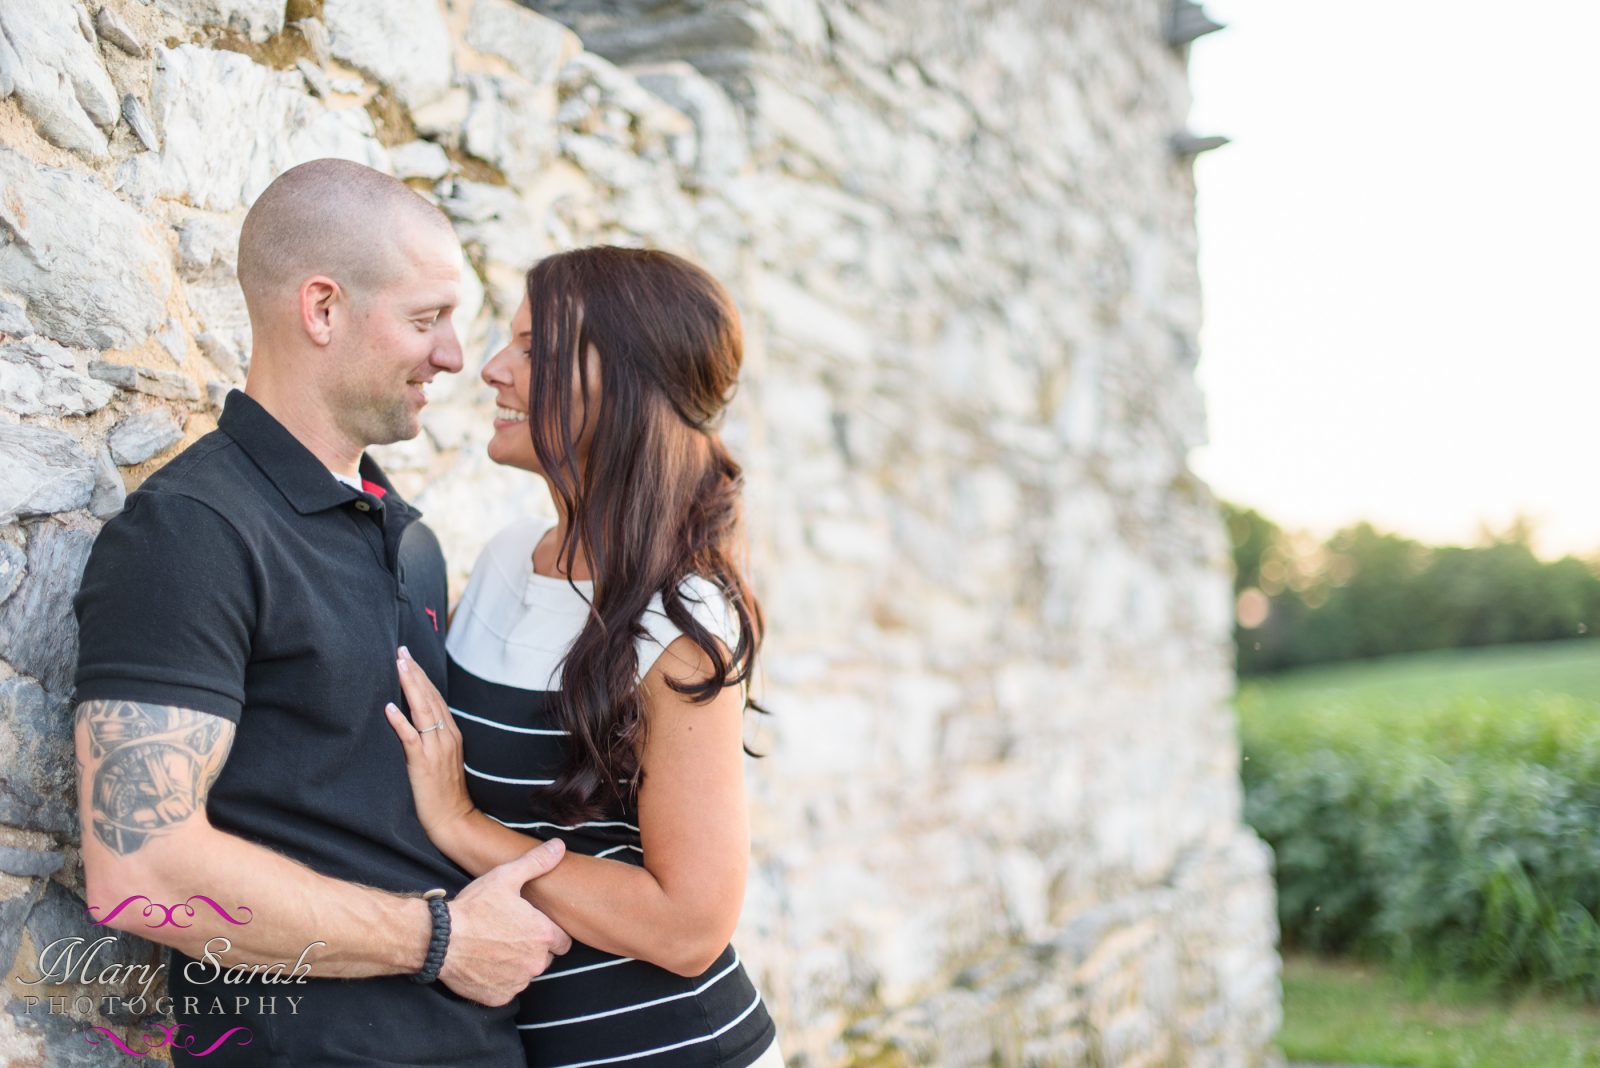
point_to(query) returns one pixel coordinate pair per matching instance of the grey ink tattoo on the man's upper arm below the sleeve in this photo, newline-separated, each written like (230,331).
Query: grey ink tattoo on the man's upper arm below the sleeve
(151,768)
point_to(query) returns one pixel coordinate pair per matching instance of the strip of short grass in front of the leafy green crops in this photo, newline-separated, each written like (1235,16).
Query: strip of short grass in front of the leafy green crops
(1362,1014)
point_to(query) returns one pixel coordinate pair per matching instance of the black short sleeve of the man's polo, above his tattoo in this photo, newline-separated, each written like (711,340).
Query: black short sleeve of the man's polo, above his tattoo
(167,608)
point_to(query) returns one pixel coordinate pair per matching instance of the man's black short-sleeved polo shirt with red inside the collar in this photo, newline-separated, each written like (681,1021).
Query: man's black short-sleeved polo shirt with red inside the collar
(249,583)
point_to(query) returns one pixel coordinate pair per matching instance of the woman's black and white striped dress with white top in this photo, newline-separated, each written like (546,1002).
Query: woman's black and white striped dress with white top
(506,644)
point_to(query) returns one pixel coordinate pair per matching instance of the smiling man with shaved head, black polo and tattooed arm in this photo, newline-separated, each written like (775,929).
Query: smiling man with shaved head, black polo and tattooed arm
(239,629)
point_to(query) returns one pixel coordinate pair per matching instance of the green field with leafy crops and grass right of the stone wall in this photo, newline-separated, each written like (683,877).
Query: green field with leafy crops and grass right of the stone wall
(1436,816)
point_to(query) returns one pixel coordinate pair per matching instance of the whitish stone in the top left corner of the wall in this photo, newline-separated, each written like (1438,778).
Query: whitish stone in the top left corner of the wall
(57,74)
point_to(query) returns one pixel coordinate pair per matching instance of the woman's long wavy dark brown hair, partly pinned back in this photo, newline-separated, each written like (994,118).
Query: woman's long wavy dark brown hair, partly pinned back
(658,500)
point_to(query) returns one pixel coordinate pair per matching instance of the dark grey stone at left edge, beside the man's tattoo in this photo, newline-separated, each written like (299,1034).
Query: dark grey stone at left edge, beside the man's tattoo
(38,771)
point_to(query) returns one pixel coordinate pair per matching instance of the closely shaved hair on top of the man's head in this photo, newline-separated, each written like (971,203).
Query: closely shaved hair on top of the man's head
(329,218)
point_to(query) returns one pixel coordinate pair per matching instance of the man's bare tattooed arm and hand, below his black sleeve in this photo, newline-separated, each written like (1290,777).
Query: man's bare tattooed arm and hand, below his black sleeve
(145,776)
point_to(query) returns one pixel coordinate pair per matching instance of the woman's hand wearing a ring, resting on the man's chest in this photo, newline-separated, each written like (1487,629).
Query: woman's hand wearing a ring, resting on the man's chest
(433,754)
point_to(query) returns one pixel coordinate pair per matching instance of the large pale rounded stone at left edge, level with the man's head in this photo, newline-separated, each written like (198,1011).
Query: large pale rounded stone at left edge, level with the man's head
(54,229)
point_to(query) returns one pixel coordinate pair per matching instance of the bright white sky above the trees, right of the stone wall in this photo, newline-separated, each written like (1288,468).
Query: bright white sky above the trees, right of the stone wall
(1401,255)
